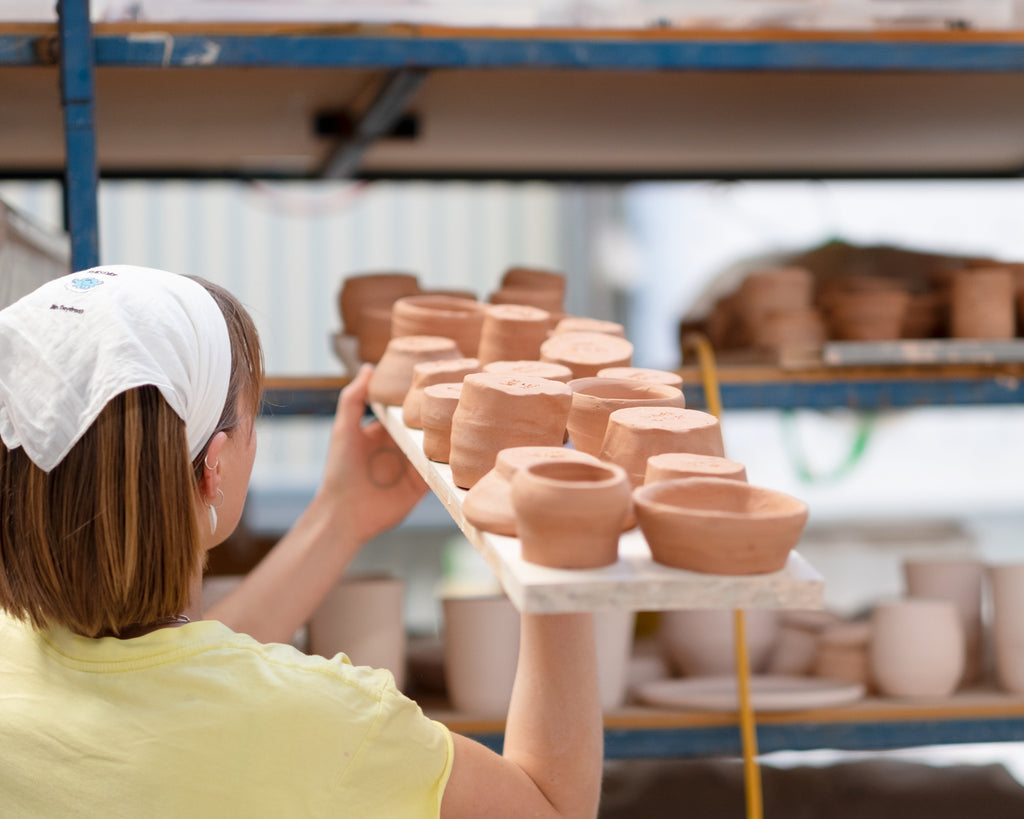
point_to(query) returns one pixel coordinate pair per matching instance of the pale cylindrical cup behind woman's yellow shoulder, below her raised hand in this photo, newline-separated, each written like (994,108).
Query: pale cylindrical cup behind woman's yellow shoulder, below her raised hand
(364,618)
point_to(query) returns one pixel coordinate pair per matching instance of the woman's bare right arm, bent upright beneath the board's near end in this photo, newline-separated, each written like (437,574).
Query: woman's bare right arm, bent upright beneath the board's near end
(551,766)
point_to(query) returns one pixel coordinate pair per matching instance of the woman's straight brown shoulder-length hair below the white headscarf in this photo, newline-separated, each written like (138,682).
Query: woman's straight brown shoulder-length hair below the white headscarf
(109,539)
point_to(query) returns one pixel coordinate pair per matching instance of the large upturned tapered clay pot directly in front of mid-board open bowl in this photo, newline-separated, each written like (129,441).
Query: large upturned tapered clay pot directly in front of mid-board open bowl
(635,434)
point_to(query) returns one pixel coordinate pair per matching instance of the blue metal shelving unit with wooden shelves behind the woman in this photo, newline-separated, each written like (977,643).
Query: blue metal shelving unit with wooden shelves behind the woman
(417,102)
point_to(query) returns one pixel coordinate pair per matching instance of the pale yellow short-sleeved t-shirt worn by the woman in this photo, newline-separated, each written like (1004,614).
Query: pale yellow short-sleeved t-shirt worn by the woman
(199,721)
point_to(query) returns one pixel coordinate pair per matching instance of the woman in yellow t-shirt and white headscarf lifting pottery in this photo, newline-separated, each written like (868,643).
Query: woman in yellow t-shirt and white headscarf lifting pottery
(127,404)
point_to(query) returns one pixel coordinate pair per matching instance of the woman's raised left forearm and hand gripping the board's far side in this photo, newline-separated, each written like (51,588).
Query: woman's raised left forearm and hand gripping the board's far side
(368,488)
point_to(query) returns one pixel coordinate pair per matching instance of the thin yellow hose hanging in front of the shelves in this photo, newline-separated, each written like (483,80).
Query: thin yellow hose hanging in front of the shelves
(748,727)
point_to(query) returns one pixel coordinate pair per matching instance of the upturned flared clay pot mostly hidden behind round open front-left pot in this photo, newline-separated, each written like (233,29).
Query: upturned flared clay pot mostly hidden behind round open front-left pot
(489,504)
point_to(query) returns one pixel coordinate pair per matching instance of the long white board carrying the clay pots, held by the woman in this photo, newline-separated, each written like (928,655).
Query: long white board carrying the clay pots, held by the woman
(634,583)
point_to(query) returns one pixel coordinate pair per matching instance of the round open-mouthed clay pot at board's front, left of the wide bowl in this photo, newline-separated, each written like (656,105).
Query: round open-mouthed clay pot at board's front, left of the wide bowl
(570,514)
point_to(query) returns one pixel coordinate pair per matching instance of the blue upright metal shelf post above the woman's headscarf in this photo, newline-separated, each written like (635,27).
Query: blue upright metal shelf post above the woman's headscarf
(77,99)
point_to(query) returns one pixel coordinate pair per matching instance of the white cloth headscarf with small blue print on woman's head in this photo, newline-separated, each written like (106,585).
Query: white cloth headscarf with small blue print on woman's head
(75,343)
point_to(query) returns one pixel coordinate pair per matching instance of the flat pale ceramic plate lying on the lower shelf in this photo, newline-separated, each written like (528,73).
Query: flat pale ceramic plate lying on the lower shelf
(767,694)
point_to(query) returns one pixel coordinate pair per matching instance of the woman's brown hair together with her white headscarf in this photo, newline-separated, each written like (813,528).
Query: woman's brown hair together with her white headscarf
(99,521)
